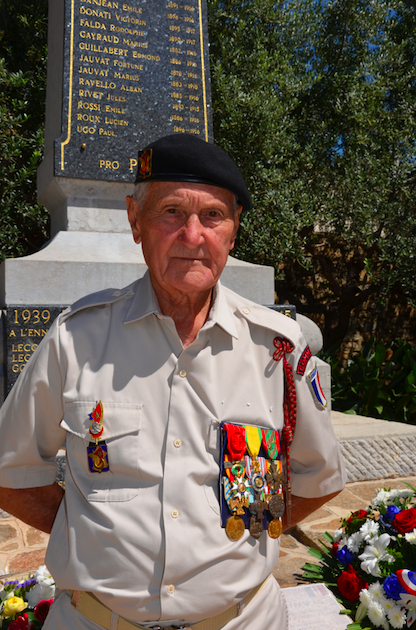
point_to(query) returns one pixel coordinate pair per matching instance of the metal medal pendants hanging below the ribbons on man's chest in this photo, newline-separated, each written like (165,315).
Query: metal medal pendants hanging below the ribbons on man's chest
(242,488)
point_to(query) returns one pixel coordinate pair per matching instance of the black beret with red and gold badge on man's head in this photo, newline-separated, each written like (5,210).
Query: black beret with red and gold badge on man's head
(183,157)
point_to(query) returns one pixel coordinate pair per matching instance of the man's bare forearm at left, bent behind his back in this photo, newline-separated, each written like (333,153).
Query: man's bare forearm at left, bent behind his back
(35,506)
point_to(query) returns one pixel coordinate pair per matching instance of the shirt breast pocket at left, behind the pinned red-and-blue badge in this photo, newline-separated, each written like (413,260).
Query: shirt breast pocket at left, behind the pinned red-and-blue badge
(122,425)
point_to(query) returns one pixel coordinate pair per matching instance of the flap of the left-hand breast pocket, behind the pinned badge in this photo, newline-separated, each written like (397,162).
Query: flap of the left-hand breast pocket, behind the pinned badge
(118,418)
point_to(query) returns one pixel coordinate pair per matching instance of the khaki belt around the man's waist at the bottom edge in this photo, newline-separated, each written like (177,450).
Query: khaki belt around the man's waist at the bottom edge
(89,606)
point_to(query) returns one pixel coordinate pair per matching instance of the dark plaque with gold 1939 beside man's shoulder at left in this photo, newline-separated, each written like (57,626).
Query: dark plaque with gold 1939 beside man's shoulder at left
(25,328)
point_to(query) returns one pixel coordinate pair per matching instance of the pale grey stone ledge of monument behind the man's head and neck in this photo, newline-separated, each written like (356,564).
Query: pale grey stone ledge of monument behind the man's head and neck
(74,264)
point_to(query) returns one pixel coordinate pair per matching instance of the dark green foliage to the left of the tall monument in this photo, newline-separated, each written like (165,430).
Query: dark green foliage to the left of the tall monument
(23,221)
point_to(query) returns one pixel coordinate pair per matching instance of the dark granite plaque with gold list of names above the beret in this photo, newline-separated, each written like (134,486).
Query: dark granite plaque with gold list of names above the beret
(133,72)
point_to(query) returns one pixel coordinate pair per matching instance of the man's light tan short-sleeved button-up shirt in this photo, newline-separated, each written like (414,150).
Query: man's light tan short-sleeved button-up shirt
(146,537)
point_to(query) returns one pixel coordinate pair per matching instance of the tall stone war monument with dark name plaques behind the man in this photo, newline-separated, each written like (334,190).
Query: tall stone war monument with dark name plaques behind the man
(120,74)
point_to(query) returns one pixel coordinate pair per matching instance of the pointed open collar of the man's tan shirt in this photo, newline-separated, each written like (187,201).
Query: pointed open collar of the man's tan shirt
(145,303)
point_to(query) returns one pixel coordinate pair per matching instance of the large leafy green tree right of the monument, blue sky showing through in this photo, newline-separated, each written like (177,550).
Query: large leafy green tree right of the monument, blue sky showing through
(317,102)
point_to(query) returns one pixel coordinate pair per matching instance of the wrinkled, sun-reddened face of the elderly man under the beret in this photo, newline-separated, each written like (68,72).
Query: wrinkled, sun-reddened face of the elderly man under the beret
(186,231)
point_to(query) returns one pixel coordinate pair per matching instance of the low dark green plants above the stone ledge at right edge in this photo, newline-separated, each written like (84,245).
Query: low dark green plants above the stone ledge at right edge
(379,382)
